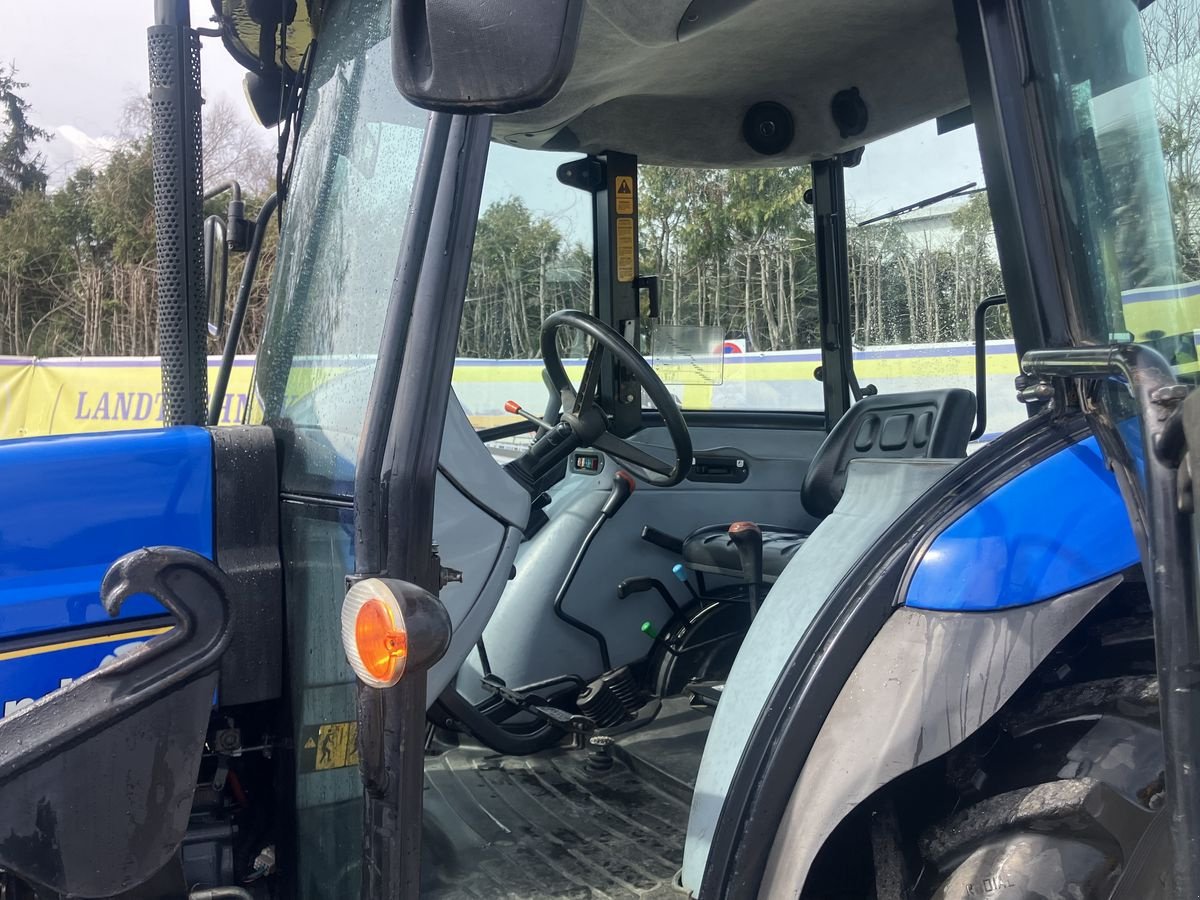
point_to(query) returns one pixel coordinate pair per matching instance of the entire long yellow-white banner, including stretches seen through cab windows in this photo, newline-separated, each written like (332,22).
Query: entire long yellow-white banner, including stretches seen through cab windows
(67,397)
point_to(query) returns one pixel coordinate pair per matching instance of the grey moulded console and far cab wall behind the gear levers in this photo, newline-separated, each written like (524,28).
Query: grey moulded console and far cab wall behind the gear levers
(526,643)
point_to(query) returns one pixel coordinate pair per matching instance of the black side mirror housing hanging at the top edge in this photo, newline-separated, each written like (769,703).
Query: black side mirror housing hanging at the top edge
(472,57)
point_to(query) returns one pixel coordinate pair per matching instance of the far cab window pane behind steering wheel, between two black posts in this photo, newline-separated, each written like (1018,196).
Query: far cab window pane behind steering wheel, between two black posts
(735,255)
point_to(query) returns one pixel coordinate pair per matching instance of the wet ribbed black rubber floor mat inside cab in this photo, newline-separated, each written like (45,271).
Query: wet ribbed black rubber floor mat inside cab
(548,826)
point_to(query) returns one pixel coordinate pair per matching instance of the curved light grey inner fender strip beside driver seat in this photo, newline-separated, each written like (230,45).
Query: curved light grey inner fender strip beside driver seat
(878,491)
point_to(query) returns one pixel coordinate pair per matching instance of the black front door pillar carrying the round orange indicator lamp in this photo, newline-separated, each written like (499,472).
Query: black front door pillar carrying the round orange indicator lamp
(395,482)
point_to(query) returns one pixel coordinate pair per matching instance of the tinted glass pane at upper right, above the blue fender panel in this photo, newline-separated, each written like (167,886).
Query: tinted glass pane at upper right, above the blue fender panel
(1119,93)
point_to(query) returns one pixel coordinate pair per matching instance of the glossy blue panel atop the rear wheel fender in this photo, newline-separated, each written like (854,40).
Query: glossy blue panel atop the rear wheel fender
(1054,529)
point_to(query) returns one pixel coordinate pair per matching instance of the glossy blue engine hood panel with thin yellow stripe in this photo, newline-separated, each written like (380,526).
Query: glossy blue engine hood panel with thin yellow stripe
(69,508)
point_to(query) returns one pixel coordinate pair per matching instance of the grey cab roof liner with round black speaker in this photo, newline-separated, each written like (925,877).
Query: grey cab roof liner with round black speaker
(673,81)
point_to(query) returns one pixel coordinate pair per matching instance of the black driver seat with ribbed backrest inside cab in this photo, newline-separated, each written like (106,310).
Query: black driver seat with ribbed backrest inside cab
(934,424)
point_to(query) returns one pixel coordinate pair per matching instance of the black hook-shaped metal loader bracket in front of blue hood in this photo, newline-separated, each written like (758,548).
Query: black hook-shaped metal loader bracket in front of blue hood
(91,771)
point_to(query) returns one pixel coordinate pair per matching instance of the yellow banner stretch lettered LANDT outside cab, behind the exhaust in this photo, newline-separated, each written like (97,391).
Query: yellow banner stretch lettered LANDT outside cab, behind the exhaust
(69,397)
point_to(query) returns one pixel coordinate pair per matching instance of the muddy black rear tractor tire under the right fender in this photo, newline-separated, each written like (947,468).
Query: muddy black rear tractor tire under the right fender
(1058,807)
